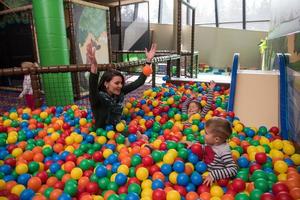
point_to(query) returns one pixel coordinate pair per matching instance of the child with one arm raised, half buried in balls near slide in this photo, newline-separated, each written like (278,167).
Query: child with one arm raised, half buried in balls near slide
(193,106)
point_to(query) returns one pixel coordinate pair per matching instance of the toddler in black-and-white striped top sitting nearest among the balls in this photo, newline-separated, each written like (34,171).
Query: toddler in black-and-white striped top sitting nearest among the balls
(216,152)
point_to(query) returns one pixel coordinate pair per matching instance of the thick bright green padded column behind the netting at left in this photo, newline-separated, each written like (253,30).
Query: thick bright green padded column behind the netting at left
(53,50)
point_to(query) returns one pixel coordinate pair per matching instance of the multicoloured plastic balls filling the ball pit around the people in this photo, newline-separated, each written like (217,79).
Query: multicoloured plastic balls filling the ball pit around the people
(54,153)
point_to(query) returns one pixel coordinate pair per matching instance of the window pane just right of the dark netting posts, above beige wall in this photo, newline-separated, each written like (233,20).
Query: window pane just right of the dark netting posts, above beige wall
(205,12)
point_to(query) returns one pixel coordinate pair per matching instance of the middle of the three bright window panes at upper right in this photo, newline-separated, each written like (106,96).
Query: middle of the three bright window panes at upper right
(230,13)
